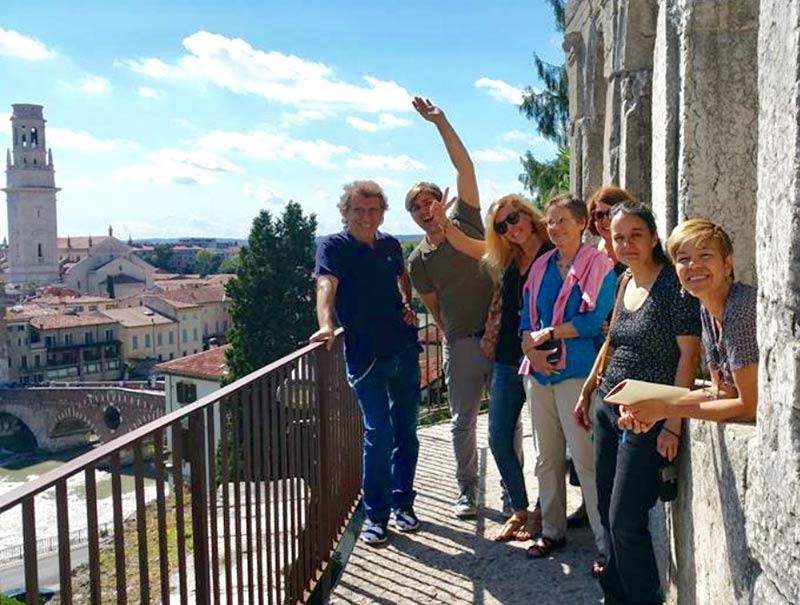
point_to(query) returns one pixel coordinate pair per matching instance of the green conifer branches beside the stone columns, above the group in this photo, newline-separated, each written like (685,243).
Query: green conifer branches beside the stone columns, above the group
(548,108)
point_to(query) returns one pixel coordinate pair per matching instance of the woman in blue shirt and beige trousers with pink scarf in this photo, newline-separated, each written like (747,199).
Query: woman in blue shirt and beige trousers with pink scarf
(569,294)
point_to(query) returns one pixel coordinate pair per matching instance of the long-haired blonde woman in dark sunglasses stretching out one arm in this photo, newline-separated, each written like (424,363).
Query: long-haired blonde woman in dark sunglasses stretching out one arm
(515,237)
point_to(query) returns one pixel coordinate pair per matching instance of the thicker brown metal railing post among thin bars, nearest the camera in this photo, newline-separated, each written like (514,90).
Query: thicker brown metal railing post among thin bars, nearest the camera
(197,459)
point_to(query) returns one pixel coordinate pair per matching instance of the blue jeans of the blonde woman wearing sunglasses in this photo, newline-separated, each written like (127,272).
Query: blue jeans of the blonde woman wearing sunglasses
(507,395)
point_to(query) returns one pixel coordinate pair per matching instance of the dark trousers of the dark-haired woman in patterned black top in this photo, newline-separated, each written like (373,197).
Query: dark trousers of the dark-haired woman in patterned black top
(627,488)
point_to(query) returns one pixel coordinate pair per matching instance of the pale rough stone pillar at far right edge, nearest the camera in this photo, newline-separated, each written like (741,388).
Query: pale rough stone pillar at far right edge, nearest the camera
(774,497)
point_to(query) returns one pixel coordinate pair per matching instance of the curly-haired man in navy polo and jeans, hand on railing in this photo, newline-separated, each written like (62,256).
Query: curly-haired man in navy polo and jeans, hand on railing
(362,281)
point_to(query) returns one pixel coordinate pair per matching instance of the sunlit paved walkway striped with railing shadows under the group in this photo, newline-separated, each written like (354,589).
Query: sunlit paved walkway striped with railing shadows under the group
(451,561)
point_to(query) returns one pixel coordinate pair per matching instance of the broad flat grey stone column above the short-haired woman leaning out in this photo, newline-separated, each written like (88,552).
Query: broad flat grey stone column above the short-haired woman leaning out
(718,116)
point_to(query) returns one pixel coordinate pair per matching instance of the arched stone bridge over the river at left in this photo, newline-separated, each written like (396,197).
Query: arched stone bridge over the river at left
(62,418)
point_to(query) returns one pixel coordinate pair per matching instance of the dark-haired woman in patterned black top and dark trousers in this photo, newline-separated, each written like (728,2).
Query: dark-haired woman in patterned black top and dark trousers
(653,337)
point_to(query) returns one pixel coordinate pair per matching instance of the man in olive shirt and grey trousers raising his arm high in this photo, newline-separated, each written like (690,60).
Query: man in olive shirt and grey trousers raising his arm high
(457,293)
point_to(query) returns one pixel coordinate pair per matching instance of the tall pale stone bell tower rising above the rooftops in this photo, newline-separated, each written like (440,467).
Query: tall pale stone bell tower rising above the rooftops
(31,199)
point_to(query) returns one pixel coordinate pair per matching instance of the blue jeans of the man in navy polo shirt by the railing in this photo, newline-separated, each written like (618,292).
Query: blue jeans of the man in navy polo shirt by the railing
(389,397)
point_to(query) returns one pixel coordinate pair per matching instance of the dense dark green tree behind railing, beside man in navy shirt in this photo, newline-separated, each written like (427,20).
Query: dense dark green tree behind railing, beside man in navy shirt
(272,295)
